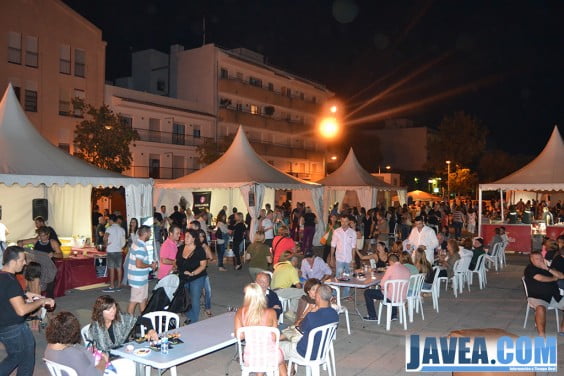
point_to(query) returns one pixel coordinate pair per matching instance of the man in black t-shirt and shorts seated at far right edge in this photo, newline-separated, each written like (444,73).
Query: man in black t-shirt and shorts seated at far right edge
(542,289)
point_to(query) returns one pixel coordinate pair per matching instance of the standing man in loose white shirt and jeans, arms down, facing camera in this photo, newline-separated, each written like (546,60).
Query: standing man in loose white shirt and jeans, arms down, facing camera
(343,247)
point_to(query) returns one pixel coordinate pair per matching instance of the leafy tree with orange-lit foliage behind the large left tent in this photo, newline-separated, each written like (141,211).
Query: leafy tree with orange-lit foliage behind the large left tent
(103,138)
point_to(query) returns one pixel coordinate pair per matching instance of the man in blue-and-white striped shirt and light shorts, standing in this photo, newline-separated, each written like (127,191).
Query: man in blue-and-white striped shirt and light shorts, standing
(140,266)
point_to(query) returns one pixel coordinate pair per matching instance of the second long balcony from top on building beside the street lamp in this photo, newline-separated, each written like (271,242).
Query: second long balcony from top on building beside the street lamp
(230,114)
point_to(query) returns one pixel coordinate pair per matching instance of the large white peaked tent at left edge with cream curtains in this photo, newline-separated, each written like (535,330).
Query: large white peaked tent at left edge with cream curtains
(31,167)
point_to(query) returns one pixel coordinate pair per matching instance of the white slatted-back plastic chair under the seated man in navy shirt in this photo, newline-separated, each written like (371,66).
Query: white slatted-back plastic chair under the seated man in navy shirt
(322,356)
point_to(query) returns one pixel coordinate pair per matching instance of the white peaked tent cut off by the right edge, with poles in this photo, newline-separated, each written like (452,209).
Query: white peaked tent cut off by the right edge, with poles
(545,173)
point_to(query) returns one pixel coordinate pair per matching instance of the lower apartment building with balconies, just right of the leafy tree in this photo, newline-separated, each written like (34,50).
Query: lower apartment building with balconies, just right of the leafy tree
(169,129)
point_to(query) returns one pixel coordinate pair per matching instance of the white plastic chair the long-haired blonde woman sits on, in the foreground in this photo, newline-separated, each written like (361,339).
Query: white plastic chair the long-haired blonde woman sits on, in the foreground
(259,337)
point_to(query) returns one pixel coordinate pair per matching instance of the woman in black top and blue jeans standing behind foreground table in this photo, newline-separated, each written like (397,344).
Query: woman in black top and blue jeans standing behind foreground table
(192,263)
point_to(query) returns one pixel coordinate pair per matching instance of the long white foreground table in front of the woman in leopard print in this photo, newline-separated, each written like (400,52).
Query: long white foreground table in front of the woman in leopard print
(200,339)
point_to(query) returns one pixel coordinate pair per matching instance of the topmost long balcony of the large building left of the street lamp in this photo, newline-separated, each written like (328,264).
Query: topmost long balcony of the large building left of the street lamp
(263,95)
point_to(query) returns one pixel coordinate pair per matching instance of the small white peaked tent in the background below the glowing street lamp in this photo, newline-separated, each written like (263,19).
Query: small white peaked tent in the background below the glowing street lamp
(351,176)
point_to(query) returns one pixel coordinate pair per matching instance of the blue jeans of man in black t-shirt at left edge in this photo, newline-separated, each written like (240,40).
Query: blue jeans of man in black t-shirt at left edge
(20,346)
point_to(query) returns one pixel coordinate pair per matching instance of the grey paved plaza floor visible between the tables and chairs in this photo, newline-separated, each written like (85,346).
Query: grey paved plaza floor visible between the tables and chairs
(369,350)
